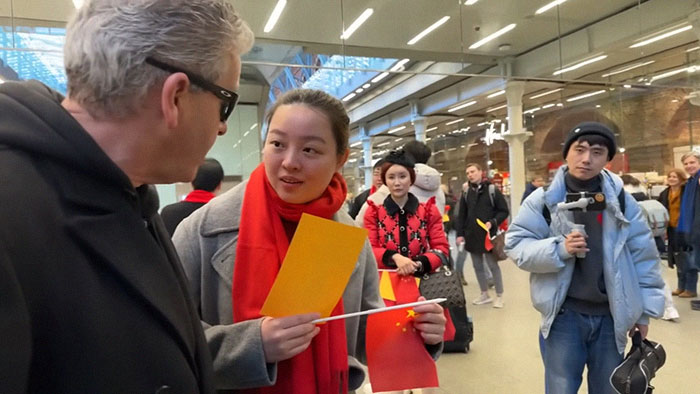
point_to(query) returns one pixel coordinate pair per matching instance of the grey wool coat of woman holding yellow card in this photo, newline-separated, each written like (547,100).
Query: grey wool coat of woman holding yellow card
(206,242)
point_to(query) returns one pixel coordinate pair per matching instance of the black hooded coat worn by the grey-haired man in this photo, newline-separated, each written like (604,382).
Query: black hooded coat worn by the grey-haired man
(92,296)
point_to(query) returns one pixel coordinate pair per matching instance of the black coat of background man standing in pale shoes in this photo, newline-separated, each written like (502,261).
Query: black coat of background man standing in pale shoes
(477,205)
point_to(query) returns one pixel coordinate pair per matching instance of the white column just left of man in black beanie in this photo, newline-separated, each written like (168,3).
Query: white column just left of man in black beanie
(516,138)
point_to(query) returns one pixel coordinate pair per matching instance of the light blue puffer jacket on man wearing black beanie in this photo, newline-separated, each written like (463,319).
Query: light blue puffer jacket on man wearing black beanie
(630,259)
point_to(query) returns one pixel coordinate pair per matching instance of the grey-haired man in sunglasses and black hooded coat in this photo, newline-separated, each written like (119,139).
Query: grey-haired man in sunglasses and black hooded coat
(92,296)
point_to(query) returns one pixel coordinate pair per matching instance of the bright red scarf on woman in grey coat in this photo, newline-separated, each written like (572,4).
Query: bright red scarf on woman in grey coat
(262,245)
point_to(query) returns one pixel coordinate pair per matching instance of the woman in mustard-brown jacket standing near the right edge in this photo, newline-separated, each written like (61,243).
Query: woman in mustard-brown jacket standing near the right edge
(670,198)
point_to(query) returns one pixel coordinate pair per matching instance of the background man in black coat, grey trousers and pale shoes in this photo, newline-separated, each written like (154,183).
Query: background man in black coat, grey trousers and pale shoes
(484,202)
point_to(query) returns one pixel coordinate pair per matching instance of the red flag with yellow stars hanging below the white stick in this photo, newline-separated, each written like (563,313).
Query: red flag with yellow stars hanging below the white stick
(396,355)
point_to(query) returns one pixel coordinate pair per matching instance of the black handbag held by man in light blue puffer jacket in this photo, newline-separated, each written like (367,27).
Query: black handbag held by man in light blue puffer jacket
(634,374)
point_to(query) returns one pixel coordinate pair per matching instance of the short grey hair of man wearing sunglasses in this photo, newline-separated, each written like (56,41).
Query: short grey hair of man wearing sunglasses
(107,42)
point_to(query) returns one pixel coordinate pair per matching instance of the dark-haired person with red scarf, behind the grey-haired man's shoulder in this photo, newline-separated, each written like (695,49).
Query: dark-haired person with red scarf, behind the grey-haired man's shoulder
(205,184)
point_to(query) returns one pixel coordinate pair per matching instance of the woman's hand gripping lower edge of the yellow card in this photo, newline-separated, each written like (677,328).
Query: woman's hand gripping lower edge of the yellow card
(285,337)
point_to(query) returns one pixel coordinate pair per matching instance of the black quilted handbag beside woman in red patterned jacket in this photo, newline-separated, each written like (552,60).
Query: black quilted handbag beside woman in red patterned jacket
(443,283)
